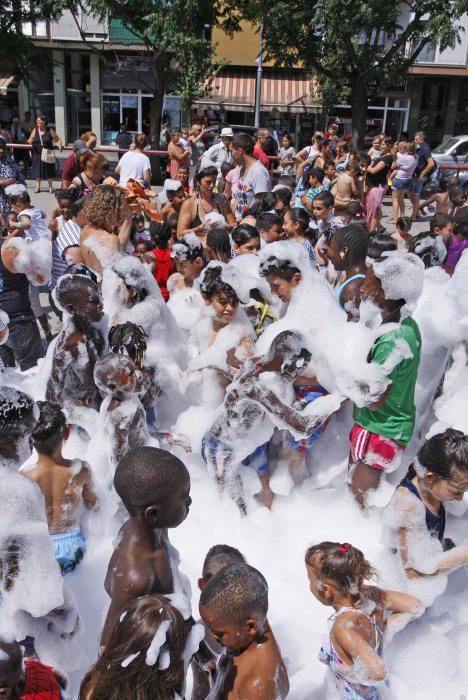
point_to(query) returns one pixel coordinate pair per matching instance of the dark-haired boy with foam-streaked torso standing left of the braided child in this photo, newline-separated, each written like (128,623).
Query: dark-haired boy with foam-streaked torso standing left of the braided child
(80,342)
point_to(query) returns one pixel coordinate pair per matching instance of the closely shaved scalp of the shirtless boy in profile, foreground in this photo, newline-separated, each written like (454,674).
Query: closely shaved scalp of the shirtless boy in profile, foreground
(146,475)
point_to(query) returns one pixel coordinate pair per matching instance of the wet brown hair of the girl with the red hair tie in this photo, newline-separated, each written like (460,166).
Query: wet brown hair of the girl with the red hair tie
(343,564)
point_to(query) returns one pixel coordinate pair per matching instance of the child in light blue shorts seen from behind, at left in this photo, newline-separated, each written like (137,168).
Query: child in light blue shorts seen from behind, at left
(66,485)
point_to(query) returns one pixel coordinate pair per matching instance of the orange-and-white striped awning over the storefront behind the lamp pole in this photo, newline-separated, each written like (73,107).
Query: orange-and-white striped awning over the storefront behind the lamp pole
(285,93)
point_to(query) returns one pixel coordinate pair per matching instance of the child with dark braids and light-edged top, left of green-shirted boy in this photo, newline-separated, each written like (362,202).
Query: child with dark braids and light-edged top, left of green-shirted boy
(347,250)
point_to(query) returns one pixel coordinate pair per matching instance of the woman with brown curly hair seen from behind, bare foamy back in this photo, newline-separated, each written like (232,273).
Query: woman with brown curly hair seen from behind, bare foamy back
(107,230)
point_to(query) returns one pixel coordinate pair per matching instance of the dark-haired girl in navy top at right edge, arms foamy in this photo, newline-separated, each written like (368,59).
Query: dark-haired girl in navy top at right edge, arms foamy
(415,517)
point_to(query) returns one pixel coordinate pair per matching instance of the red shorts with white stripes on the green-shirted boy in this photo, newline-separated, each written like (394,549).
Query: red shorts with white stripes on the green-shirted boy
(374,450)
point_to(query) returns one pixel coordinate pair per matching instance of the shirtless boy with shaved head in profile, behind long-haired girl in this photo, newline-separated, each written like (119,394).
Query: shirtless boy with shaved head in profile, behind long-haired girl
(154,486)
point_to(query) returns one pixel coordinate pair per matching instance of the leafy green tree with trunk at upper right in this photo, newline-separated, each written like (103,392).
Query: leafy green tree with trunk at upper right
(359,45)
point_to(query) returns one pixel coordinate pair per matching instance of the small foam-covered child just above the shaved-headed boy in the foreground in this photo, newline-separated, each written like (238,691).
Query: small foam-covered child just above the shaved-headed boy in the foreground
(122,413)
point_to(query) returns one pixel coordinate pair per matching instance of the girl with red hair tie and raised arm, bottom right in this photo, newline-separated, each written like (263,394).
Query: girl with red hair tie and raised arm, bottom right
(353,646)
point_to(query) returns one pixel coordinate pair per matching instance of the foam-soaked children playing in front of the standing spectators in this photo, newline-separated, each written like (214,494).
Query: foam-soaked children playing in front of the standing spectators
(220,342)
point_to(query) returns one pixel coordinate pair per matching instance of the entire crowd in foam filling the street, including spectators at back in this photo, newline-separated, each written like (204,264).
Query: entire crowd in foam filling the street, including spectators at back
(239,320)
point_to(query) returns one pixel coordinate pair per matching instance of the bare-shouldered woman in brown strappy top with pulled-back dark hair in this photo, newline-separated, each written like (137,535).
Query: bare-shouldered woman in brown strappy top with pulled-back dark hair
(202,202)
